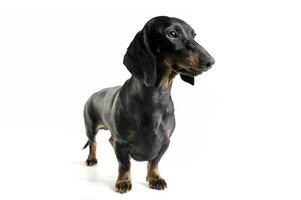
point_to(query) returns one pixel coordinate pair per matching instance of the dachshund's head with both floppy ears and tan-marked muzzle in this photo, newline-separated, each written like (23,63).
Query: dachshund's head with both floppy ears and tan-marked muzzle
(169,42)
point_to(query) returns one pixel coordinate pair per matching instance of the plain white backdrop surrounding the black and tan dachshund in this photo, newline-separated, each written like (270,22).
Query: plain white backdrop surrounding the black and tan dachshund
(238,129)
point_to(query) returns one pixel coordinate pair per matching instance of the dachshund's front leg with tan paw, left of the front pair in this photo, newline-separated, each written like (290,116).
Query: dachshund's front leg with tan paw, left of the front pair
(123,183)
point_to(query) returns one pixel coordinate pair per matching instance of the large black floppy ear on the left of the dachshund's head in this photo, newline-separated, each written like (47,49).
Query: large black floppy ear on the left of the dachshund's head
(139,59)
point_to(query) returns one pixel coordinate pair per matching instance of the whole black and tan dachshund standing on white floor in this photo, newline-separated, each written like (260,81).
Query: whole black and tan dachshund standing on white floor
(140,114)
